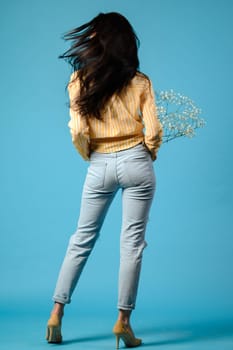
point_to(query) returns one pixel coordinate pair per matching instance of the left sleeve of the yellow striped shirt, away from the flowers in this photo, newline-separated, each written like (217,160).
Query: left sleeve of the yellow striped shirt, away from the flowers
(78,125)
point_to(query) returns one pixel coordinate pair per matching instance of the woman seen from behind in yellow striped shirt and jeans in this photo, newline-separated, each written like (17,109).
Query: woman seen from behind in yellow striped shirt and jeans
(113,125)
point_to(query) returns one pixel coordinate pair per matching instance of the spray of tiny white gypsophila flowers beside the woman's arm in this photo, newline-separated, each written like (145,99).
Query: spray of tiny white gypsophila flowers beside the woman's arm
(178,115)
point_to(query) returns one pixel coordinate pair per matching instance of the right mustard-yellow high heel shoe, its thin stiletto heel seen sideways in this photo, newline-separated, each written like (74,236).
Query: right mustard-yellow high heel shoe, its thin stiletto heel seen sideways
(124,332)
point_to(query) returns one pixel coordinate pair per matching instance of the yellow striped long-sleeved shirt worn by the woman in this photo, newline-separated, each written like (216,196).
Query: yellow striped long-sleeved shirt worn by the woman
(129,118)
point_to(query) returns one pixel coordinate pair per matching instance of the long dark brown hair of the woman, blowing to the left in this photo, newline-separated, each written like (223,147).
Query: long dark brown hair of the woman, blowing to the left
(104,51)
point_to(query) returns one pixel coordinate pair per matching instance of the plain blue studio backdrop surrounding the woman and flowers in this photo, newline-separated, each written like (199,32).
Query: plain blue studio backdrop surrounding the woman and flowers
(185,297)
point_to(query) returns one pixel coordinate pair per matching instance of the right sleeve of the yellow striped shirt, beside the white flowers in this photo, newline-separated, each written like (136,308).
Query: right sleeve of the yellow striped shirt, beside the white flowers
(153,128)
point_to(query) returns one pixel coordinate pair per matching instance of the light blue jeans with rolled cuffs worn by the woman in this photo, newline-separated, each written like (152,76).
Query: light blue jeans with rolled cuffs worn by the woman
(132,171)
